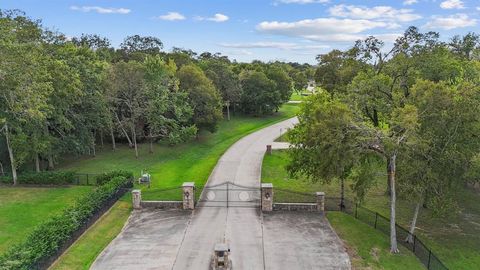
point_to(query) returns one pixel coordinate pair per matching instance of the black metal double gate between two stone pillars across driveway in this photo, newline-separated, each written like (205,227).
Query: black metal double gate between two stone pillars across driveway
(230,195)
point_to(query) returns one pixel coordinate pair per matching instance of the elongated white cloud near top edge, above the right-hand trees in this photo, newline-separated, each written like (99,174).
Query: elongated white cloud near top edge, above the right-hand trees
(378,12)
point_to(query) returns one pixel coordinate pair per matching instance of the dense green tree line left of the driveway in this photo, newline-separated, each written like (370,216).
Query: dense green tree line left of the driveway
(62,95)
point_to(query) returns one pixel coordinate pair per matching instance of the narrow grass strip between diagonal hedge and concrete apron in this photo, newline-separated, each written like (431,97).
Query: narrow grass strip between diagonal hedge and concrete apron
(83,253)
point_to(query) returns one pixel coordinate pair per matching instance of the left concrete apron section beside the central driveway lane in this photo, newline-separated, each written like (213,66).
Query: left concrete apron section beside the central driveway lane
(150,240)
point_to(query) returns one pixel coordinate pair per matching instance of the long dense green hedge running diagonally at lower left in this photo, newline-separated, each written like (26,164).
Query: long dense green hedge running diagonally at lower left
(47,240)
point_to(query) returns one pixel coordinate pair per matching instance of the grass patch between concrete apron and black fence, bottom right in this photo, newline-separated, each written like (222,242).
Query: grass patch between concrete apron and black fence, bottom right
(369,248)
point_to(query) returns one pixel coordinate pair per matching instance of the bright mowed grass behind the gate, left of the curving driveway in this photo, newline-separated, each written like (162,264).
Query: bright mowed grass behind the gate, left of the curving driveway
(170,166)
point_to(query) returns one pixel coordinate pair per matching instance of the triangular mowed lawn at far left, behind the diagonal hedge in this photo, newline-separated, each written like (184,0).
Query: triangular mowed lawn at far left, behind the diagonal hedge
(23,208)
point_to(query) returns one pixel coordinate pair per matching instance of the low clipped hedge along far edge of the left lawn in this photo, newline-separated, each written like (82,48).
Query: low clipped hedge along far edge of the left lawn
(42,178)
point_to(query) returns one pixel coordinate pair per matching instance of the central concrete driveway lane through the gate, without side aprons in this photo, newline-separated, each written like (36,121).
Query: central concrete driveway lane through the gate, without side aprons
(240,227)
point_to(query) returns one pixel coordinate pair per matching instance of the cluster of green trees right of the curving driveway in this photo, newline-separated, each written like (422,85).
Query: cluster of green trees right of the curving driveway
(410,113)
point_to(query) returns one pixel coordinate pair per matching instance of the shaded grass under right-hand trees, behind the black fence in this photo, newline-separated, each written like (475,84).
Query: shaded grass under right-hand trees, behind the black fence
(454,239)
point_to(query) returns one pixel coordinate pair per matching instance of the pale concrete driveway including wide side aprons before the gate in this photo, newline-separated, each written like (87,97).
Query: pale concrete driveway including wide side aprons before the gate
(255,239)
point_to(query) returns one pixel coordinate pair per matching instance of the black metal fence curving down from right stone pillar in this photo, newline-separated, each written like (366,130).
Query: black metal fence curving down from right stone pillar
(382,223)
